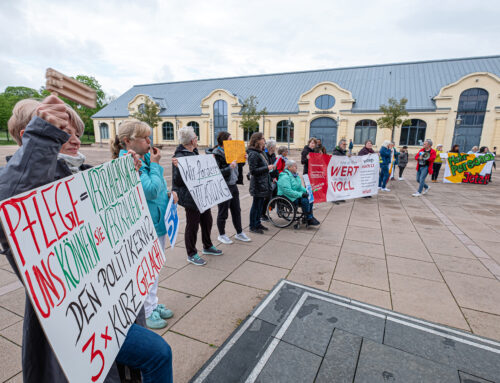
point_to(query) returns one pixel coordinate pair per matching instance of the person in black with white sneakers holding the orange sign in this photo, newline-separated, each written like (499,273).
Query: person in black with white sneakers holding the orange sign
(230,174)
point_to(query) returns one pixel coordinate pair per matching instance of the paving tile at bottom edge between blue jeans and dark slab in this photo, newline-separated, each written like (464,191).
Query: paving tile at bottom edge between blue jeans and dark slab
(188,355)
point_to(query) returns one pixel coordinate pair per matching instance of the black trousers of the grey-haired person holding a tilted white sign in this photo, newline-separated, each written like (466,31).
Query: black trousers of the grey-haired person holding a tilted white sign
(193,220)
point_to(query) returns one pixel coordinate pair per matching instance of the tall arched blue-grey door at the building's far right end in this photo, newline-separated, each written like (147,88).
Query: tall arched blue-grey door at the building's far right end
(470,118)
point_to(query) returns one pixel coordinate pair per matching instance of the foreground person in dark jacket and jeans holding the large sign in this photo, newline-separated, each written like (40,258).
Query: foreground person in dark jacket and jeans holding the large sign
(56,130)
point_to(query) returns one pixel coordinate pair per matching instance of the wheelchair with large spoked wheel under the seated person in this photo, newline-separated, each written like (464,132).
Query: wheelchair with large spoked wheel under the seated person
(282,213)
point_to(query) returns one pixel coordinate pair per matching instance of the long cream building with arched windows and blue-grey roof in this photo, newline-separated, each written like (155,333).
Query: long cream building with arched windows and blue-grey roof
(454,101)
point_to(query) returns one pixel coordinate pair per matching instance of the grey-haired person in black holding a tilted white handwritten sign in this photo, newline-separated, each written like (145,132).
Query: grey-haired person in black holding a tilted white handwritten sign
(188,146)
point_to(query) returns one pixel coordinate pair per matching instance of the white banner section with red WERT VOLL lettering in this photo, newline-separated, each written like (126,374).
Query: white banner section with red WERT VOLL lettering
(352,177)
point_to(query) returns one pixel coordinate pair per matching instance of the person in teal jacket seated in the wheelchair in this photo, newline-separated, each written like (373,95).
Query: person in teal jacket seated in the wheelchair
(290,186)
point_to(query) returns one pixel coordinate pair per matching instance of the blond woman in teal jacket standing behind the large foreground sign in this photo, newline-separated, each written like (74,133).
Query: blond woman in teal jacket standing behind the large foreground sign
(134,135)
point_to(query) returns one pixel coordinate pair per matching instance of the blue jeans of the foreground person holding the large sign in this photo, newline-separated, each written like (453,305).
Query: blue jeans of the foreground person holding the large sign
(148,352)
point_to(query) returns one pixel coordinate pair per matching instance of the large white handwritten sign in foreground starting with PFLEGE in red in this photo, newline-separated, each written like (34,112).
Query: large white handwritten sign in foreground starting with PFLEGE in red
(88,253)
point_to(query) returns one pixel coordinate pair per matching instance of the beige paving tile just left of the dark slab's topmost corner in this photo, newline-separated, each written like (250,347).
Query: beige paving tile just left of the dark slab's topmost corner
(257,275)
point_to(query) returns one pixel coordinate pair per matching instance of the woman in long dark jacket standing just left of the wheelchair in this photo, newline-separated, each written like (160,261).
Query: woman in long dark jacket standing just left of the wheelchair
(260,181)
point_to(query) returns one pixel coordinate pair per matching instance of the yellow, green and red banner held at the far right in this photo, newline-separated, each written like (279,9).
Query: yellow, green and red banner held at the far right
(467,168)
